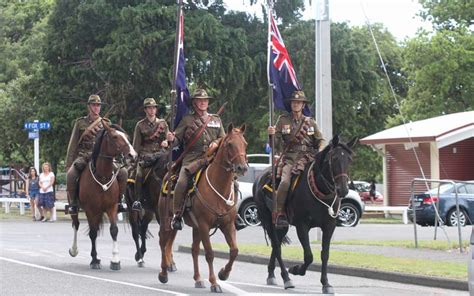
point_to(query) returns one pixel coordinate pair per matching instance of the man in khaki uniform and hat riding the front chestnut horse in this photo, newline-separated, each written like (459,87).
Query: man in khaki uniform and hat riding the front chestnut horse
(196,157)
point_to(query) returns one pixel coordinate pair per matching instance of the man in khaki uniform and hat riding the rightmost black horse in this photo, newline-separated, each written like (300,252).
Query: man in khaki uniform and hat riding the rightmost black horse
(297,137)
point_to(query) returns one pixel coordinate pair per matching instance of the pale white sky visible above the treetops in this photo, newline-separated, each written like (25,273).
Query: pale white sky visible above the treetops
(398,16)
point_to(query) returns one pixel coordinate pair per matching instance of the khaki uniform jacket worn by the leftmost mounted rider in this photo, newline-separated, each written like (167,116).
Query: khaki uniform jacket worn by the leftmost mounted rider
(83,149)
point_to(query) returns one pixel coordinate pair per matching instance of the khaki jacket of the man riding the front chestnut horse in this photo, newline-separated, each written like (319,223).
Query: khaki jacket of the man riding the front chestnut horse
(187,128)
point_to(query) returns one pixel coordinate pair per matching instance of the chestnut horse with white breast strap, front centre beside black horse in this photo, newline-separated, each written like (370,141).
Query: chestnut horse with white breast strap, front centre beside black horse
(213,206)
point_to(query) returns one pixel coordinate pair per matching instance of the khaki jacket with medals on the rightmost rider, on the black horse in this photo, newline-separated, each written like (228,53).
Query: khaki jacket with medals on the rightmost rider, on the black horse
(307,140)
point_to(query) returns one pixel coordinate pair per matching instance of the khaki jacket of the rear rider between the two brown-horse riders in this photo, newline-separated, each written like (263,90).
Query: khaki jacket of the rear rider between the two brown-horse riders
(143,142)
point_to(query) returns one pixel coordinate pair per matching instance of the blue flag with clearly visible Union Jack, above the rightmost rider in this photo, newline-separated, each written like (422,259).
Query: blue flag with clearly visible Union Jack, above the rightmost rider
(281,74)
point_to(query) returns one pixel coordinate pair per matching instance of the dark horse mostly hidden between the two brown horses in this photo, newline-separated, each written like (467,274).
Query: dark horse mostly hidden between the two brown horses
(151,190)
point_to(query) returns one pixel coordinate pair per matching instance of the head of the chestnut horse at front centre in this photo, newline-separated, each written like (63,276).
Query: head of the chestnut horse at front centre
(233,150)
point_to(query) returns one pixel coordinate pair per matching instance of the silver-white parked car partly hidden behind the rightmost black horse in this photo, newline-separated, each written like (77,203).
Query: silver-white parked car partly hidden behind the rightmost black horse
(350,212)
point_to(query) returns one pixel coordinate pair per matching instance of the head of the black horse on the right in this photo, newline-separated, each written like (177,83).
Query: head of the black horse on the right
(337,157)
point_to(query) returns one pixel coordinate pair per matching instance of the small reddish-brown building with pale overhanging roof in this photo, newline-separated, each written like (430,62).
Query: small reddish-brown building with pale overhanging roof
(437,148)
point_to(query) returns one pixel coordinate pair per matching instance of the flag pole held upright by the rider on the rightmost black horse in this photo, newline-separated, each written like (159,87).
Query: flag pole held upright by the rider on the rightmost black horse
(270,106)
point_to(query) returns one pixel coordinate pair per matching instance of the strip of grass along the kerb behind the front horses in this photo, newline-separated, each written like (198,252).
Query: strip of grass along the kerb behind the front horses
(364,260)
